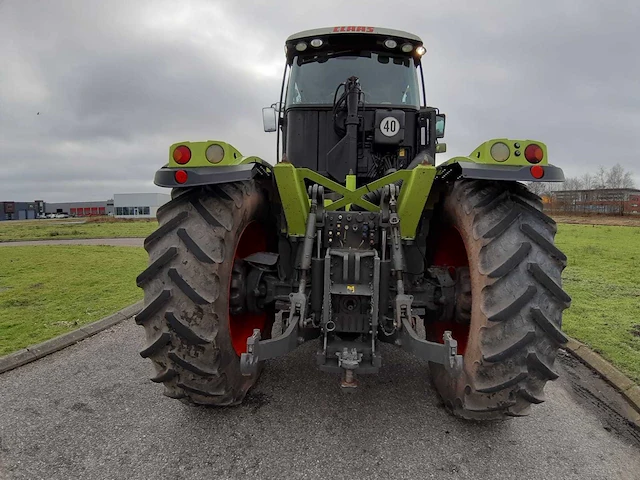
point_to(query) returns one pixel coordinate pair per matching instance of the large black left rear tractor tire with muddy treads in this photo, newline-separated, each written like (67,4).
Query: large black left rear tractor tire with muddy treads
(191,336)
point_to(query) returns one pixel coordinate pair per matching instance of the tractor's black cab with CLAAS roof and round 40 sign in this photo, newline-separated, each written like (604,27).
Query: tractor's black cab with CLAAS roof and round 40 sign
(352,101)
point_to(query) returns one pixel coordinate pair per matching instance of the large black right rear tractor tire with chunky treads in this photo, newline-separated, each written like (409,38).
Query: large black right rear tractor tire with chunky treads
(514,330)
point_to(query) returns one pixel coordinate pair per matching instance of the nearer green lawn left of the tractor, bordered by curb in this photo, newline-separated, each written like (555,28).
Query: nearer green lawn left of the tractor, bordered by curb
(49,290)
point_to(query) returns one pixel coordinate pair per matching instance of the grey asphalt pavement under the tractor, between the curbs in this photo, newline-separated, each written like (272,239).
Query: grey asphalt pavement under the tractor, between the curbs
(90,412)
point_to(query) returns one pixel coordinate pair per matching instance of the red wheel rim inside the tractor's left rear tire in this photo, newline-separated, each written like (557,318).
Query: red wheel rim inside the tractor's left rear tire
(252,240)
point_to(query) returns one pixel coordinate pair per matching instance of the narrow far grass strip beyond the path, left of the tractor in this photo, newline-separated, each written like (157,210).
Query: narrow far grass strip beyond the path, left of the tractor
(52,230)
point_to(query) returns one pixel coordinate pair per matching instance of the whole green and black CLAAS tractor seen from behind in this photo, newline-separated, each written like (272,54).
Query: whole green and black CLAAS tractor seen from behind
(356,237)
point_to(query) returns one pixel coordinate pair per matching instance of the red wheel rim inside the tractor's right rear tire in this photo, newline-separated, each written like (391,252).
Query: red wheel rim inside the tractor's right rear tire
(450,252)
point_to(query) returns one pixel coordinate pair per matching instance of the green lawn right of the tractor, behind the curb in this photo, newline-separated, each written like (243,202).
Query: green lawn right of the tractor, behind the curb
(603,278)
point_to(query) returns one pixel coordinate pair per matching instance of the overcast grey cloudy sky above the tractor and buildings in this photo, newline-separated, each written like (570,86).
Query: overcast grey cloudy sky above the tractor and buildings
(93,92)
